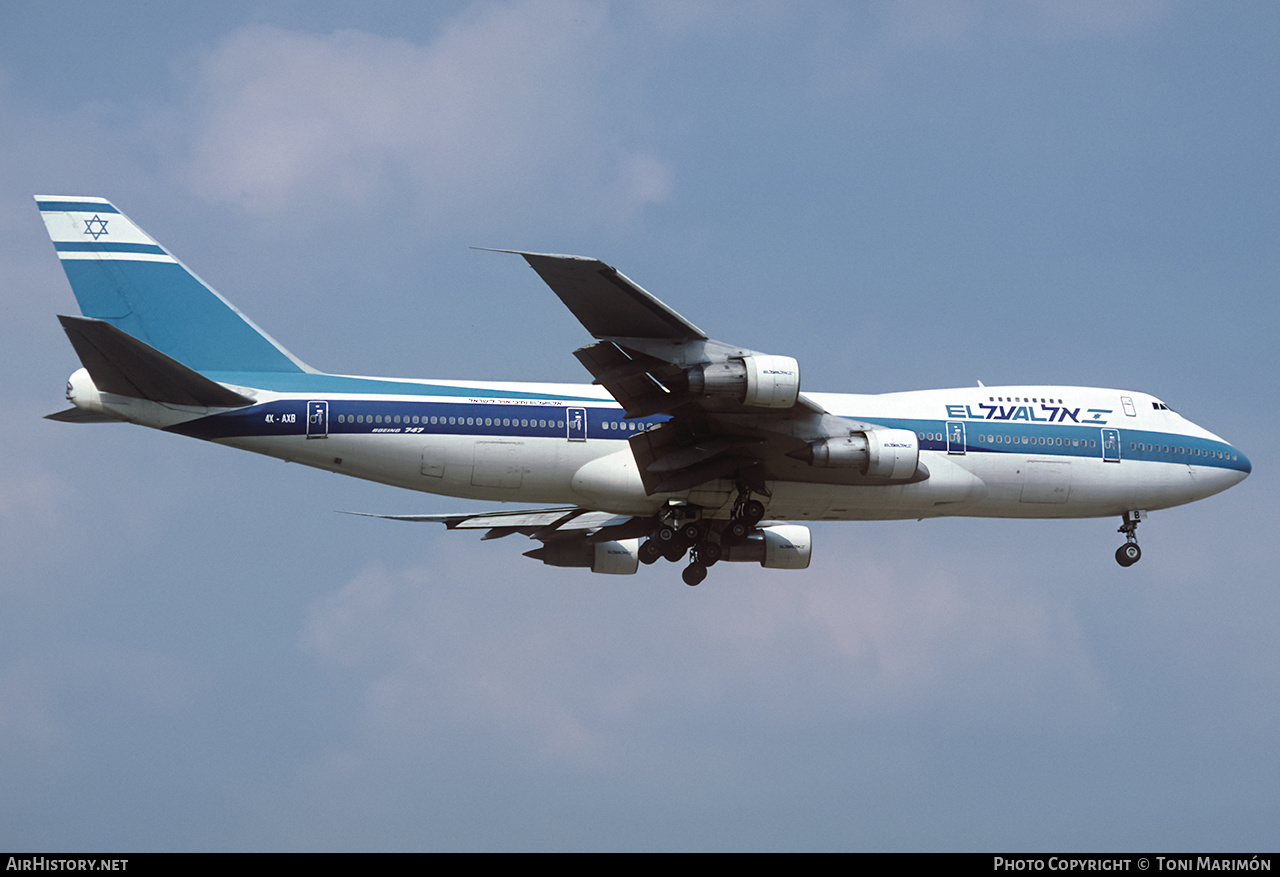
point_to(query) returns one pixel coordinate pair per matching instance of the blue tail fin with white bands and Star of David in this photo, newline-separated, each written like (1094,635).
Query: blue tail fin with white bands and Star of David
(121,276)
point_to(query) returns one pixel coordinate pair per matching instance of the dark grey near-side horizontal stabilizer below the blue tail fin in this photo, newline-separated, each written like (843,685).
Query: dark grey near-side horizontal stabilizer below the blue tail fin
(124,366)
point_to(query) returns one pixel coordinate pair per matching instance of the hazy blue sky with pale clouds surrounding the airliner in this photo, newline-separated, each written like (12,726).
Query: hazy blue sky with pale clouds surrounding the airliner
(198,654)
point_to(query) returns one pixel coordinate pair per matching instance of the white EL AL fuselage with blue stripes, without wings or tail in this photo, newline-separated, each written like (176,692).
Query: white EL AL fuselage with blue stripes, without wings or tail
(994,453)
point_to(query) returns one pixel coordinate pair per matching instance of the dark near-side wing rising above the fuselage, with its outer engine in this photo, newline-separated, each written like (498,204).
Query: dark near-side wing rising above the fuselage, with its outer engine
(734,413)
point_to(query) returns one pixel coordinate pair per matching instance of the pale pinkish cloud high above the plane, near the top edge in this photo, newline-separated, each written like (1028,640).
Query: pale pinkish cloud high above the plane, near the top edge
(508,104)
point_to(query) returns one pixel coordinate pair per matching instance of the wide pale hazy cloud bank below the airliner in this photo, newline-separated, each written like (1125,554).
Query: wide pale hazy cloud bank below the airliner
(587,666)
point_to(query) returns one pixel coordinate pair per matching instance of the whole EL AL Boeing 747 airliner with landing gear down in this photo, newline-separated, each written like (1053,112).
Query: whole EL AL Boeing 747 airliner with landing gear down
(683,447)
